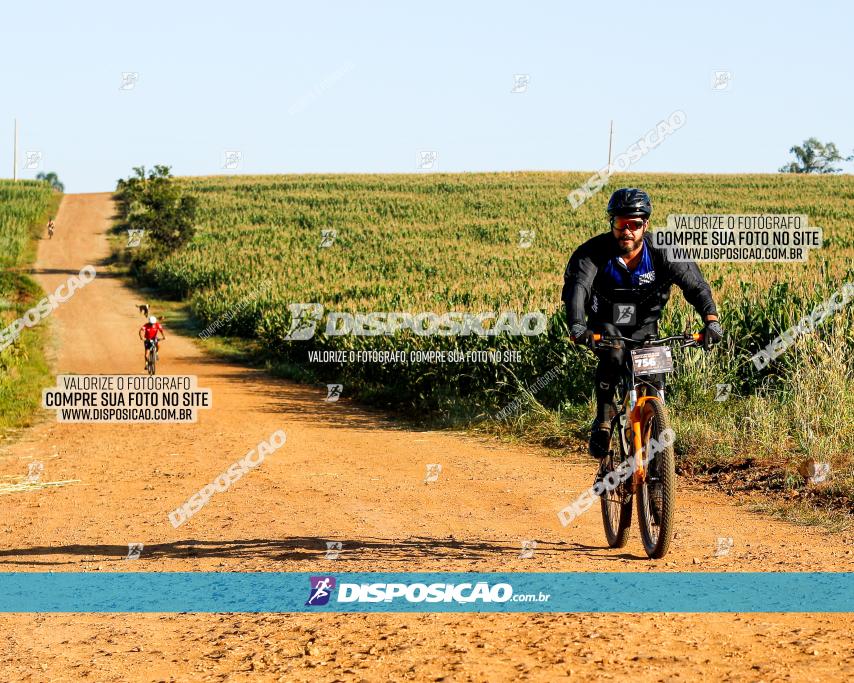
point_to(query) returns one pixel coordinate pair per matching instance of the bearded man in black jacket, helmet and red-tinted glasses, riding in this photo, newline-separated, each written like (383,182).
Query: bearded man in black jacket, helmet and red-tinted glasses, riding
(618,283)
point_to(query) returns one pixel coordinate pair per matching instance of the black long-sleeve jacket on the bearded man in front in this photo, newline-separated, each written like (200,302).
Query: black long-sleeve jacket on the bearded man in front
(590,290)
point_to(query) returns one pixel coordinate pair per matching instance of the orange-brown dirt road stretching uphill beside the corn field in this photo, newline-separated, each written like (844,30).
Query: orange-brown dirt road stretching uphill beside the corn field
(351,475)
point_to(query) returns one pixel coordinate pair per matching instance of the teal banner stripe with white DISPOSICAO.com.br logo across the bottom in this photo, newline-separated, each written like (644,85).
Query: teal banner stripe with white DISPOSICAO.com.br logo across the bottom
(426,592)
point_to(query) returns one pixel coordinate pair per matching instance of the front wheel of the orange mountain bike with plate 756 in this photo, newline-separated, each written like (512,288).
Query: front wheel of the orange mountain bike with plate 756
(657,493)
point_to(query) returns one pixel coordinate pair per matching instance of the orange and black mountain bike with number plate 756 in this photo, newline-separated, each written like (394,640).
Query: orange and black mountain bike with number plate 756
(641,455)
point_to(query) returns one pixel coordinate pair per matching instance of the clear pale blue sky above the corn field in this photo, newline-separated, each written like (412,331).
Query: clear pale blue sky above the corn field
(364,86)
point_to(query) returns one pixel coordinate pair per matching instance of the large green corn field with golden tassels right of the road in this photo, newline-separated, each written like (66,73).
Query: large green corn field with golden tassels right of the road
(445,242)
